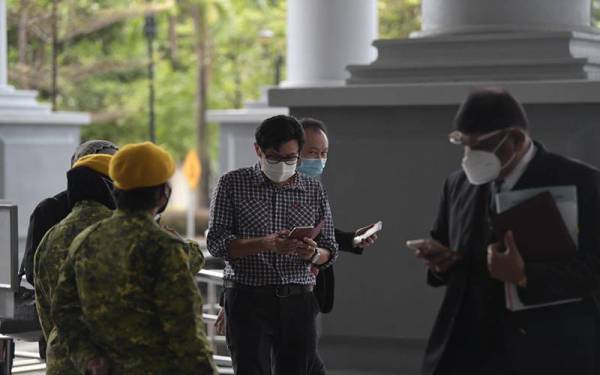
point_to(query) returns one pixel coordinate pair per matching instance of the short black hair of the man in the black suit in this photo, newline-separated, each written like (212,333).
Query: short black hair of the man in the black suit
(489,109)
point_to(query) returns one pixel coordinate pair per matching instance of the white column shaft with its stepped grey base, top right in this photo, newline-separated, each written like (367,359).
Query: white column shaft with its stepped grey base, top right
(490,40)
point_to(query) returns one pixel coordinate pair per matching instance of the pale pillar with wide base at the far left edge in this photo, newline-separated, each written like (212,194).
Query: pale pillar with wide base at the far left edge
(36,143)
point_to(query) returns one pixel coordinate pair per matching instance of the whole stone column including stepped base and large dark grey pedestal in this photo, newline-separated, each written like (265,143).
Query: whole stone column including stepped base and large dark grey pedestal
(543,51)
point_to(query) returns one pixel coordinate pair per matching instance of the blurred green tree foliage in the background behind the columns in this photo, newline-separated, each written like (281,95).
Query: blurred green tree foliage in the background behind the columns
(102,59)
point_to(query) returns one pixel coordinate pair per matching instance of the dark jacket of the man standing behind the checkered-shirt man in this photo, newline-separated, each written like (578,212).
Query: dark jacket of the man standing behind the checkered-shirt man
(324,289)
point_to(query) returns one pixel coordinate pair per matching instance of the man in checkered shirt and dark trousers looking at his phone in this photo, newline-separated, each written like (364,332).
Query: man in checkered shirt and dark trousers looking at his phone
(269,305)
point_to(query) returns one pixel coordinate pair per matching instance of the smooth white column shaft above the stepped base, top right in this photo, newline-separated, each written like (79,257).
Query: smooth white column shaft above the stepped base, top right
(474,16)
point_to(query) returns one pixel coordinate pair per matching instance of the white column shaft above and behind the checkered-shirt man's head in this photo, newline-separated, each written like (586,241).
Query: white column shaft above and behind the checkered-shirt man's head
(324,36)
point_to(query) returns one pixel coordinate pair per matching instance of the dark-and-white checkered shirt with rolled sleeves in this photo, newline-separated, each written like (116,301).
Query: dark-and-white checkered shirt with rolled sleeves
(246,204)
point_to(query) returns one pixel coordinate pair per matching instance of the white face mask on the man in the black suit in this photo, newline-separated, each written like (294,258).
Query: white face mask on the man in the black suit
(482,167)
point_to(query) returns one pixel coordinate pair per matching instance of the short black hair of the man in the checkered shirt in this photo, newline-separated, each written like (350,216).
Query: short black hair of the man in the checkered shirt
(275,131)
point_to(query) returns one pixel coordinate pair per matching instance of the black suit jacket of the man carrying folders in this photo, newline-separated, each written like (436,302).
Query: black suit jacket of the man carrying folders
(554,340)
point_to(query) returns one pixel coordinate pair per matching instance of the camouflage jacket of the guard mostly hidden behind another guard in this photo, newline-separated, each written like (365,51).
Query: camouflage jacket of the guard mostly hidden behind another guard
(49,258)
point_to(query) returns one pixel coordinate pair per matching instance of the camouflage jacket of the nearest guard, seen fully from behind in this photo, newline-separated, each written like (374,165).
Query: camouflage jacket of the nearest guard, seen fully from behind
(126,293)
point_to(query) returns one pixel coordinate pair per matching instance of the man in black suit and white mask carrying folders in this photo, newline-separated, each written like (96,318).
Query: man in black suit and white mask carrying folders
(474,333)
